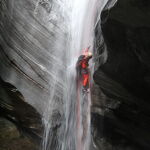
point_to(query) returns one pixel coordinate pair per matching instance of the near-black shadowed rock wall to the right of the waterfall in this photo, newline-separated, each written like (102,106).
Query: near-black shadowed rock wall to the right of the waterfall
(125,78)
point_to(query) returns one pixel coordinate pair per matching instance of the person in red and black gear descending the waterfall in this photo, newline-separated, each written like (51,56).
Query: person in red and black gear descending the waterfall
(82,69)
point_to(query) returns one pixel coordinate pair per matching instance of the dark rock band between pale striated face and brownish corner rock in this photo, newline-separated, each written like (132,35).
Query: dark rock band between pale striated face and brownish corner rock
(14,108)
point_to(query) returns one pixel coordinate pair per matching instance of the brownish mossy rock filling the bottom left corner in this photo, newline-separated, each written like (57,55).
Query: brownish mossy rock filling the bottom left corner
(10,137)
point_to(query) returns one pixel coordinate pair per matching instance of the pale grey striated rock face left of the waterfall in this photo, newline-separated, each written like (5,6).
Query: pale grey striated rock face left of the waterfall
(29,31)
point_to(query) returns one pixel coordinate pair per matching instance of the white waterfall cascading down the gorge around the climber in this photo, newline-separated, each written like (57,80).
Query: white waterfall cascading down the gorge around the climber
(67,115)
